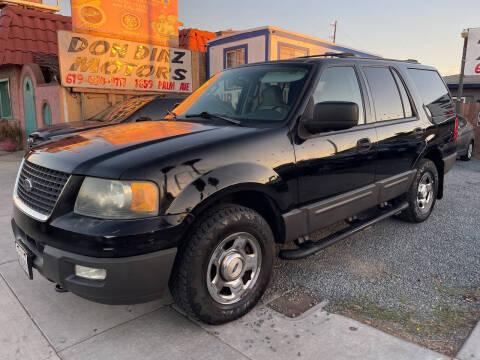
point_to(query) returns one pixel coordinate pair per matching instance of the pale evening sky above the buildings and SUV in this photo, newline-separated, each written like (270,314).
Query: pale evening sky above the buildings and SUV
(426,30)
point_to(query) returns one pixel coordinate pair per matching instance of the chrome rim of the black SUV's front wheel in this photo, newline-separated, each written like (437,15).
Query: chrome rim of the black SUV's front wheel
(233,268)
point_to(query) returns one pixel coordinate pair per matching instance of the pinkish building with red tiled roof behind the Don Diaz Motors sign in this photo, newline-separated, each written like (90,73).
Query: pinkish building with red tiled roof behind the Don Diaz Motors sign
(31,94)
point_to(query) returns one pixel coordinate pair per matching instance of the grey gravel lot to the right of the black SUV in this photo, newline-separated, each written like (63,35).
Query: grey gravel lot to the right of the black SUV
(417,281)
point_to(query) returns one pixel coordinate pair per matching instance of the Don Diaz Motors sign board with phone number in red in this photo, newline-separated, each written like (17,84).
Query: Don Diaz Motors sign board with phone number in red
(89,61)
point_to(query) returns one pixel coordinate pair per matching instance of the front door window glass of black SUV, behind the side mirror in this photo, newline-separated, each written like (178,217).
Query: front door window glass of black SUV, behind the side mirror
(340,84)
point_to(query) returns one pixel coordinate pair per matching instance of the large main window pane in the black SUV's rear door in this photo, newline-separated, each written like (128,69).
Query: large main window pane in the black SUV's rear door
(386,96)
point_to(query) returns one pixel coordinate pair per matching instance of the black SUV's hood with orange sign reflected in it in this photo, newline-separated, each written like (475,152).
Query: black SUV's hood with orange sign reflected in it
(110,151)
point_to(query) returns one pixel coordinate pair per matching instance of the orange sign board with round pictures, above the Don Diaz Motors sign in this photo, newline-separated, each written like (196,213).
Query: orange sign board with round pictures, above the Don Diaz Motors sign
(150,21)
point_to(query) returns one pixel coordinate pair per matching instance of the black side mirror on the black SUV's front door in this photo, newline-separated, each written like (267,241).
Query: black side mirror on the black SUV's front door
(332,116)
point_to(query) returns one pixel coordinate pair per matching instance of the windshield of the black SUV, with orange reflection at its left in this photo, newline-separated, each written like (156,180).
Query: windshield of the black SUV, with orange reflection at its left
(264,93)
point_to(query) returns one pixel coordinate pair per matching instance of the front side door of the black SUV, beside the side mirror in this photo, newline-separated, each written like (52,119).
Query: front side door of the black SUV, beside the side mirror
(337,169)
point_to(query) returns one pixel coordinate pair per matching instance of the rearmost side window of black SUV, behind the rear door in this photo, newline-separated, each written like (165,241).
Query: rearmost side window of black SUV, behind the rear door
(434,94)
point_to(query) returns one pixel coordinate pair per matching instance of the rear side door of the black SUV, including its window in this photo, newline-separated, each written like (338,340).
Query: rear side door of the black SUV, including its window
(400,132)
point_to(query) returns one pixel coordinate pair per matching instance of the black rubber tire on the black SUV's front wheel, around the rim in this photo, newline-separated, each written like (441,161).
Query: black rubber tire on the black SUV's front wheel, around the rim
(188,282)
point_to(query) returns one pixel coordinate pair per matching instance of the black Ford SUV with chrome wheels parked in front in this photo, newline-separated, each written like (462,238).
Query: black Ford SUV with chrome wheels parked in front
(259,156)
